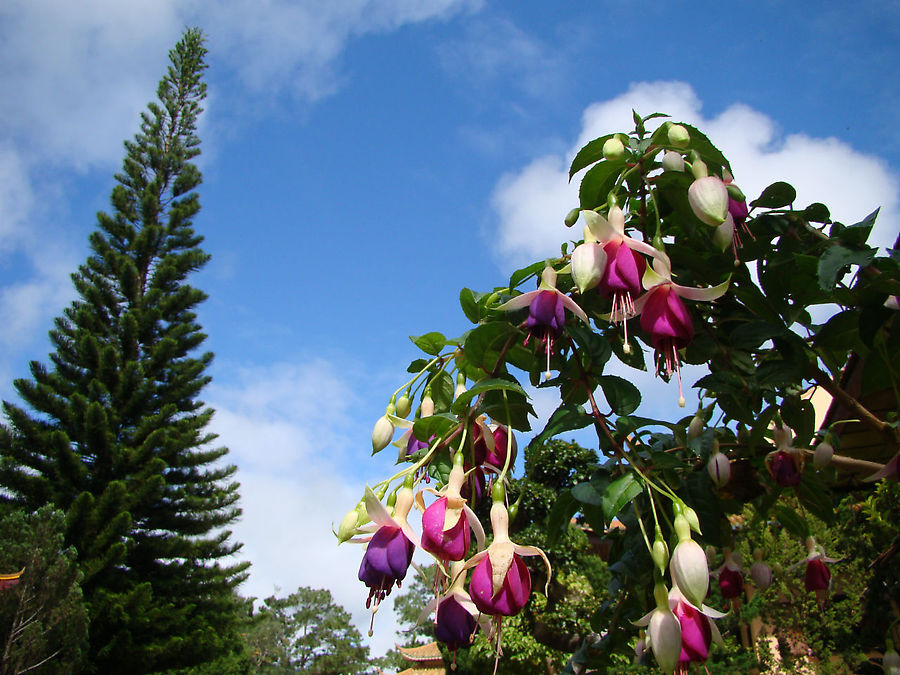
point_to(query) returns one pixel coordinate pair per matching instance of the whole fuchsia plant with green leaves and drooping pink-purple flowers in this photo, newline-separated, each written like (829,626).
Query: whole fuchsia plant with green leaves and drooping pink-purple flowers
(660,208)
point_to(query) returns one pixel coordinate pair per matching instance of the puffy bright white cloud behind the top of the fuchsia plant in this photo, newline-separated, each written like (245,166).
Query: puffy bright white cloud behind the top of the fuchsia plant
(531,203)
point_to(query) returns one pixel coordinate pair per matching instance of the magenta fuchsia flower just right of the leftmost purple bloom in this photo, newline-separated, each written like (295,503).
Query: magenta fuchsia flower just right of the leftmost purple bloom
(446,522)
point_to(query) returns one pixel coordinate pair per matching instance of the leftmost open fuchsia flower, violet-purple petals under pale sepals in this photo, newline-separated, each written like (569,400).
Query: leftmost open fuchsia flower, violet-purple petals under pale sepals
(389,550)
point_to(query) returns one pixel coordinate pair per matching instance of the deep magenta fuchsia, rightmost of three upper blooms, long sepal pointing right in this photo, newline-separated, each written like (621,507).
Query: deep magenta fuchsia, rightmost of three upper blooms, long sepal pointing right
(666,318)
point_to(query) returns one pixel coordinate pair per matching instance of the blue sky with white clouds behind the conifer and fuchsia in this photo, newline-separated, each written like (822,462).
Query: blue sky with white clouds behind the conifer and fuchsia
(365,159)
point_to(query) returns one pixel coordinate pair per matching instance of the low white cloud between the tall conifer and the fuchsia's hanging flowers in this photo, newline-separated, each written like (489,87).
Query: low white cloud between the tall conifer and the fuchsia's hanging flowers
(291,432)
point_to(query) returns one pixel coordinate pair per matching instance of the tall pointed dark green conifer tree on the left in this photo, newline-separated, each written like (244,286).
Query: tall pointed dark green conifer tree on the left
(116,435)
